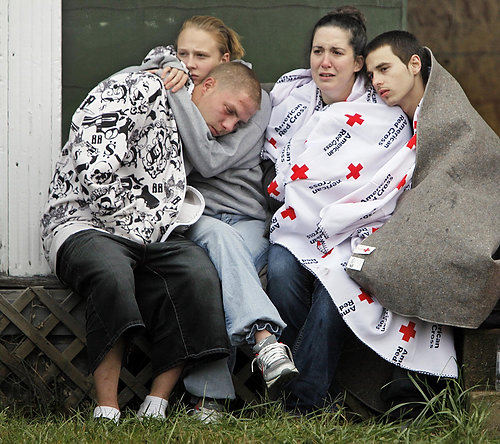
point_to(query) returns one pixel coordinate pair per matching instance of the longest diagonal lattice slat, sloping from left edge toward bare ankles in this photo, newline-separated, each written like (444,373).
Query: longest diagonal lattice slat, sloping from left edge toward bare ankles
(42,343)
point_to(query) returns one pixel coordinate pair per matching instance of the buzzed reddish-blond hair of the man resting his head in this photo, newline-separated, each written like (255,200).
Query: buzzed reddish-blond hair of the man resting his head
(238,76)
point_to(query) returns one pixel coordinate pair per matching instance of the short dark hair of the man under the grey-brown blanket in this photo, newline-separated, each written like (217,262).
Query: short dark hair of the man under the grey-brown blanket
(403,44)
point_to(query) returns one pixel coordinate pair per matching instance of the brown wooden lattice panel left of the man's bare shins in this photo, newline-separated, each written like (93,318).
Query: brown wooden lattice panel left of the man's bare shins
(39,340)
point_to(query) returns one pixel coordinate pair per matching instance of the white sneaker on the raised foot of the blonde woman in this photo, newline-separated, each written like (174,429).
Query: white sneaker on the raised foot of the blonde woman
(275,361)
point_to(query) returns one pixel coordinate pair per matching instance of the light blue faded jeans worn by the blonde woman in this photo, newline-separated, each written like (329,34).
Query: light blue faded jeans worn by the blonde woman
(237,247)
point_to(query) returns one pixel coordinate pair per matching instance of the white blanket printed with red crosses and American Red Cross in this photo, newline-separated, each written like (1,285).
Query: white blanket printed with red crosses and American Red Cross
(340,170)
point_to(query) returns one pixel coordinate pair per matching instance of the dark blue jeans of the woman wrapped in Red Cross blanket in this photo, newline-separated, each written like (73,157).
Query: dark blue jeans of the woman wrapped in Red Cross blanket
(315,330)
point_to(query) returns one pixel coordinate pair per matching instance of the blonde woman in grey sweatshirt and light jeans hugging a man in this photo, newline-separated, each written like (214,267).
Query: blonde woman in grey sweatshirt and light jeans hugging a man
(227,171)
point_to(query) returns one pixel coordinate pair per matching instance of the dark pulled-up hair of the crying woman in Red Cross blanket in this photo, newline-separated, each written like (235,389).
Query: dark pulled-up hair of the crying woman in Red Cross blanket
(350,19)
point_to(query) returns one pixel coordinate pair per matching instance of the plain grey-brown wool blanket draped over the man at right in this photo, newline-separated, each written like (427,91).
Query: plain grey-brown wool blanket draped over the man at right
(433,258)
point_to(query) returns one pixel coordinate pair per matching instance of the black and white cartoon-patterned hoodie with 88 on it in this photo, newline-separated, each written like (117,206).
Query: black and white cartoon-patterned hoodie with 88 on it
(121,170)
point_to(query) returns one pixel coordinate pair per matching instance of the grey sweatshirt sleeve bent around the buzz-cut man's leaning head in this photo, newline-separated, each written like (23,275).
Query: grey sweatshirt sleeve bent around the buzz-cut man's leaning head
(210,156)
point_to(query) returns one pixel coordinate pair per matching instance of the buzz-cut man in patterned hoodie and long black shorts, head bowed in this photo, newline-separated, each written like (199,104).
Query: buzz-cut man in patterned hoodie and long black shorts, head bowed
(118,193)
